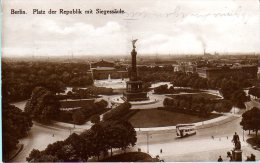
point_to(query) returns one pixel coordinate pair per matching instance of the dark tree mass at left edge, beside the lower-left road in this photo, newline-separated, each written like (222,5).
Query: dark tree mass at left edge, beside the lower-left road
(15,125)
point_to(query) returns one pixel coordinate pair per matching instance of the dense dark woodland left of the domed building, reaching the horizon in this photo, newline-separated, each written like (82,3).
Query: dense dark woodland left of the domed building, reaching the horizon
(19,78)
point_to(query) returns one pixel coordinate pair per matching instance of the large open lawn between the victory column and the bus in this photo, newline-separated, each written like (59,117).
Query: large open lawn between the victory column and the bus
(162,118)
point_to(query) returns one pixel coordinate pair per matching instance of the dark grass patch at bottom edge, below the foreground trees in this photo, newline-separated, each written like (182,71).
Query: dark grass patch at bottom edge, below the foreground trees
(130,157)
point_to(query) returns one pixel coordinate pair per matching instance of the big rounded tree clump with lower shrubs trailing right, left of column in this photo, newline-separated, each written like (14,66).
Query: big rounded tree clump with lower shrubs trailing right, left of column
(44,106)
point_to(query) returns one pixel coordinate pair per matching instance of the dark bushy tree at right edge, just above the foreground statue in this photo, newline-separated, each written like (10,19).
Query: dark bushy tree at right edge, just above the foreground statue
(251,120)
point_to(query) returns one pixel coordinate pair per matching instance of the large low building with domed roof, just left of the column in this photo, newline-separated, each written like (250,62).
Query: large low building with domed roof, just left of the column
(104,70)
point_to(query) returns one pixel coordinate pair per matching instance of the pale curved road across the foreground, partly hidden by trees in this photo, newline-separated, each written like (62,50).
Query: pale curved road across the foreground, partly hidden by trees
(199,147)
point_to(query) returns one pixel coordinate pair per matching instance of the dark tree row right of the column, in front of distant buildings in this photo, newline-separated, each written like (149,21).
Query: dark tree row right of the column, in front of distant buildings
(230,88)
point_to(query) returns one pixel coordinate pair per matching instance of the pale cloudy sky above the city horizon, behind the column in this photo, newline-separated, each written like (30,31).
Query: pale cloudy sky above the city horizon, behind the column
(161,27)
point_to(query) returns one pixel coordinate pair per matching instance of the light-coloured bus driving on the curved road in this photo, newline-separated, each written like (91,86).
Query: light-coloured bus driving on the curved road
(185,129)
